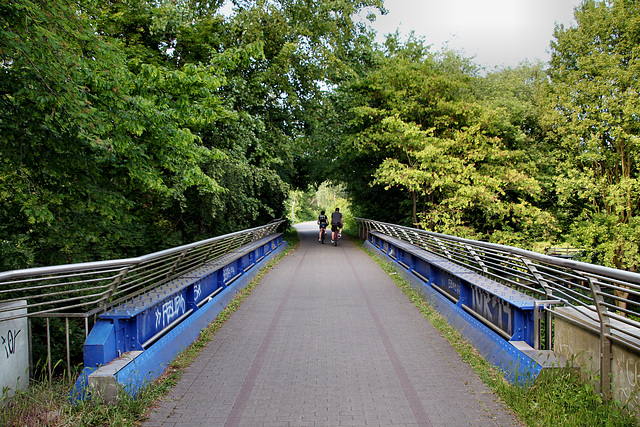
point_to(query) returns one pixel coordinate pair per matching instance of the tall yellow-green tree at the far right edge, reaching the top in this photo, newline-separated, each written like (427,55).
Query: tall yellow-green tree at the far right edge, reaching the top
(592,112)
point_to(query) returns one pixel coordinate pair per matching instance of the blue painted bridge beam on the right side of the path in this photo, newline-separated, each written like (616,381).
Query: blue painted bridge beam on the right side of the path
(497,320)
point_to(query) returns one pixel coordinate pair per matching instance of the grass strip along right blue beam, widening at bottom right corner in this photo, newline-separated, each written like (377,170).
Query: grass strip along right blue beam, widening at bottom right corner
(558,399)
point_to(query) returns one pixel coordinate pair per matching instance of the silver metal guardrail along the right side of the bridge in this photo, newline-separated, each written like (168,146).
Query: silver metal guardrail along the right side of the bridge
(610,297)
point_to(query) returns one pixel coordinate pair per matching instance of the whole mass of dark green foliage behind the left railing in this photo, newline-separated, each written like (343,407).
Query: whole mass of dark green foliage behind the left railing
(128,127)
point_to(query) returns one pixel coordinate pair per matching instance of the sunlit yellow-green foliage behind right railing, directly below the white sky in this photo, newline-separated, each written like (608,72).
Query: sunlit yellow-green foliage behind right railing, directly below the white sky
(415,125)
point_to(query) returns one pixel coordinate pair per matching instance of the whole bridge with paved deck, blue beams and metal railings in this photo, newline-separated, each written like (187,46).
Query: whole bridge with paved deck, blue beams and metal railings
(327,337)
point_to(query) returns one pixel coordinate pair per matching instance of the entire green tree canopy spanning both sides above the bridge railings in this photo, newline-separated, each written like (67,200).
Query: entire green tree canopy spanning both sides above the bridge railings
(131,126)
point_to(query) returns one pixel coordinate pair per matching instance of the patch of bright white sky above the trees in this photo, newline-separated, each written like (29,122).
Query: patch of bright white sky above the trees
(496,32)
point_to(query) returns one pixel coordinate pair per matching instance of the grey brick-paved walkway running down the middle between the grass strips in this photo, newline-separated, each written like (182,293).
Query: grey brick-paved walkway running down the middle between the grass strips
(327,339)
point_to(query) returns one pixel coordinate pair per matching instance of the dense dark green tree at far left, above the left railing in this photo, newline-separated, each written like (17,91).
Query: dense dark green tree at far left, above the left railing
(94,155)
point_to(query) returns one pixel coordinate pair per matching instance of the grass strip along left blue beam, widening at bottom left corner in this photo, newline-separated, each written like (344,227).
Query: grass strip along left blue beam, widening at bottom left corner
(47,404)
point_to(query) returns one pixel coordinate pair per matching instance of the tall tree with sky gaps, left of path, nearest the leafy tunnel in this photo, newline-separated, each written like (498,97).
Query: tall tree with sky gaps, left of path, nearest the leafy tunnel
(279,54)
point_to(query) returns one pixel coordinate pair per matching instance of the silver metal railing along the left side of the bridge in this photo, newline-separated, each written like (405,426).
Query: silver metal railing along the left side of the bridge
(83,291)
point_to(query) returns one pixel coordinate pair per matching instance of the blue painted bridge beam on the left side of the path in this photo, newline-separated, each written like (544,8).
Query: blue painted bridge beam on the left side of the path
(132,344)
